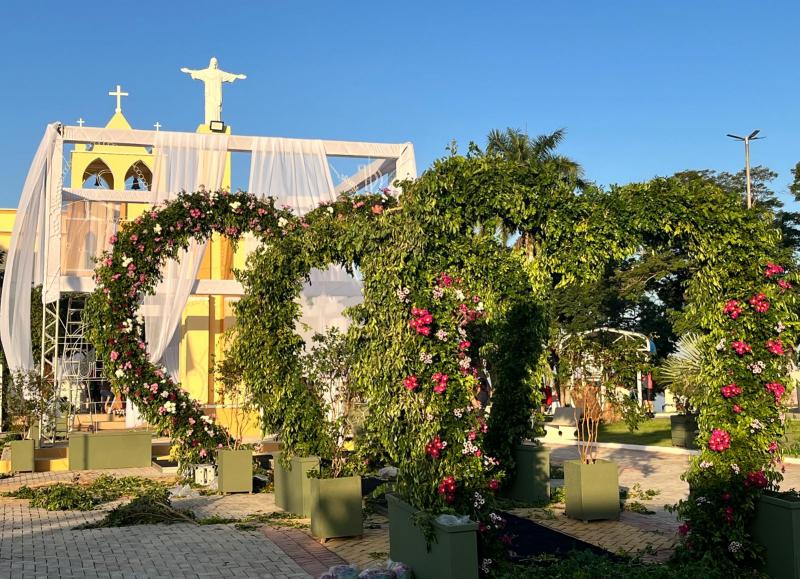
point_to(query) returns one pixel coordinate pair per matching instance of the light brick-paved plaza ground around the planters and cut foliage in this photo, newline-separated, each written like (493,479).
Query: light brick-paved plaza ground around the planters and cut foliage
(38,543)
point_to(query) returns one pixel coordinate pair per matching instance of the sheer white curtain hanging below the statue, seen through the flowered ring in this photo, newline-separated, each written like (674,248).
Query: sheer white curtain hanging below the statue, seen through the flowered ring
(183,161)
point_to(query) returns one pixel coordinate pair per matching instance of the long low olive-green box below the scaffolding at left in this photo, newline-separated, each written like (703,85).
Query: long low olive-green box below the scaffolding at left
(124,449)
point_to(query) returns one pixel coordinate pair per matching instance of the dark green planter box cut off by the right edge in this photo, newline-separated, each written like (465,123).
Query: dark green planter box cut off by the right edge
(777,527)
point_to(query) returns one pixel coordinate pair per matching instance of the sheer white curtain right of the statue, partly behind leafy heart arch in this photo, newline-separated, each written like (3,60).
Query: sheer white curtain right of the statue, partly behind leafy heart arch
(295,172)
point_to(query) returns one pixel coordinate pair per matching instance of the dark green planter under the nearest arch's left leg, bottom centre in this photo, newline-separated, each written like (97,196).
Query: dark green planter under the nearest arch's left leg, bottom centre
(454,554)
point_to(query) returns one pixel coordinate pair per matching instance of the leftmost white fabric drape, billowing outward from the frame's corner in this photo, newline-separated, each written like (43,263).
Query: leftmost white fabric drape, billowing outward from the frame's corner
(25,259)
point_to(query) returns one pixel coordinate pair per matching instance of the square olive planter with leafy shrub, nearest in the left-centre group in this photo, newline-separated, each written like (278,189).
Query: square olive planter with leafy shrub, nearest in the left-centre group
(336,507)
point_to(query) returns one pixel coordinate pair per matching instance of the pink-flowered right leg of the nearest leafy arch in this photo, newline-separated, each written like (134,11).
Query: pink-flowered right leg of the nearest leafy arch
(741,419)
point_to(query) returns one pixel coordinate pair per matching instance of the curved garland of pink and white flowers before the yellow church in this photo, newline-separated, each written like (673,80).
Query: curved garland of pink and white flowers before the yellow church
(131,269)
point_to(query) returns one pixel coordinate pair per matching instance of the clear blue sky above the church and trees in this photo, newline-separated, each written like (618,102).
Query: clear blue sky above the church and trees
(643,88)
